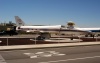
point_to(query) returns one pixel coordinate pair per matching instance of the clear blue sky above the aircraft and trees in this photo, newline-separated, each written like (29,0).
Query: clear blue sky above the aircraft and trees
(84,13)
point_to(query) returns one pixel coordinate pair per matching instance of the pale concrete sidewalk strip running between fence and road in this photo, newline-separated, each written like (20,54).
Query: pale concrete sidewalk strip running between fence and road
(32,46)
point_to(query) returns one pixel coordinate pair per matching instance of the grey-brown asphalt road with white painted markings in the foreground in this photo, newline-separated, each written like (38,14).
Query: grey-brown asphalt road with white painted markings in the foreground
(80,54)
